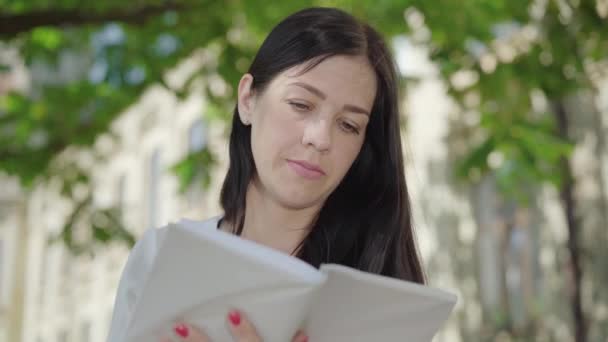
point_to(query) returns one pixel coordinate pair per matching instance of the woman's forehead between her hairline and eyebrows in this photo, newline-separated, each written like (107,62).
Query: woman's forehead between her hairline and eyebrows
(344,79)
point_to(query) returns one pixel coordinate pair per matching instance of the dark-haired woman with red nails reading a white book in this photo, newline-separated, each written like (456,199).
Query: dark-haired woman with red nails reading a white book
(316,166)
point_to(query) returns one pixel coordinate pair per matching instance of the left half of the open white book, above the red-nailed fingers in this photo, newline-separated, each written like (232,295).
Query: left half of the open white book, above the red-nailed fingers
(200,274)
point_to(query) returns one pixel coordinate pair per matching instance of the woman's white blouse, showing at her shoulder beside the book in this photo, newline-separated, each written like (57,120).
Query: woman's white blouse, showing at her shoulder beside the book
(134,276)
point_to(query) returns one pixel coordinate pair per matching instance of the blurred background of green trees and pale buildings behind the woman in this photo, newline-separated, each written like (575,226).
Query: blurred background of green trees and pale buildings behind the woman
(114,119)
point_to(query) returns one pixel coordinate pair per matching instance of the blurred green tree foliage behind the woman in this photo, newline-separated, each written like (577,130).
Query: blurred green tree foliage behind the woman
(89,61)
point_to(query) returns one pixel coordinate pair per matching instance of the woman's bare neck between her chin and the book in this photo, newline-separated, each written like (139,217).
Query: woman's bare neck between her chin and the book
(269,223)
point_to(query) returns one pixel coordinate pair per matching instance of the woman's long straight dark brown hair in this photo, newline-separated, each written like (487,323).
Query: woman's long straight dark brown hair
(366,222)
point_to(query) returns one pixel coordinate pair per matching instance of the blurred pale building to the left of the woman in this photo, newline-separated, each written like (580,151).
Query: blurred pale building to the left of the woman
(48,294)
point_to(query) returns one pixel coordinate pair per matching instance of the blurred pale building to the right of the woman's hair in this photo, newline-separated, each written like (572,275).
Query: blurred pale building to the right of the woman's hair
(508,261)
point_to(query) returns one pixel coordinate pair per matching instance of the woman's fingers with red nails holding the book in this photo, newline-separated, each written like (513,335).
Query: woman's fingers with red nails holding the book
(240,327)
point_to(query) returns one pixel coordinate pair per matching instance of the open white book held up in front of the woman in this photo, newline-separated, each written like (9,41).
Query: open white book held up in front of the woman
(200,274)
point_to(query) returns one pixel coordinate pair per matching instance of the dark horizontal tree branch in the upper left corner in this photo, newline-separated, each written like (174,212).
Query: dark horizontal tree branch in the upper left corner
(13,24)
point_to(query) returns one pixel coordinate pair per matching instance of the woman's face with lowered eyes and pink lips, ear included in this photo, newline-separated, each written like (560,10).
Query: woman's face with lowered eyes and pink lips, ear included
(308,128)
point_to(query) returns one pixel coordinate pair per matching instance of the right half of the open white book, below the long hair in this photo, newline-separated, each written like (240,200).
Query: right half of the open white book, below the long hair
(357,306)
